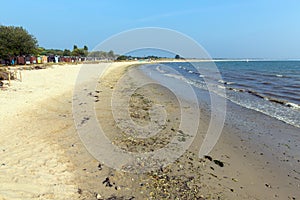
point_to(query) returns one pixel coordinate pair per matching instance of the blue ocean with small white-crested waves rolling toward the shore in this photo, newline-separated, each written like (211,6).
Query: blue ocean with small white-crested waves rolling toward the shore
(269,87)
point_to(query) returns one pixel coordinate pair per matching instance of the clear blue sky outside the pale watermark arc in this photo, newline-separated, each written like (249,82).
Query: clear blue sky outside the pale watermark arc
(228,29)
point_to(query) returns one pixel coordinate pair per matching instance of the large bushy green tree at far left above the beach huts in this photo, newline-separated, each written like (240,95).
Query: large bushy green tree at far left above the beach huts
(15,41)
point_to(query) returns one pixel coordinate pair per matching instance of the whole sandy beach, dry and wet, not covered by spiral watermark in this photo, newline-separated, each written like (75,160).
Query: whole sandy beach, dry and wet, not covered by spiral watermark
(42,156)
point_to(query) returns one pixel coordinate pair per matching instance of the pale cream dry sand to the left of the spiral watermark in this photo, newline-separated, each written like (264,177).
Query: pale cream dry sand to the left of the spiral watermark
(31,166)
